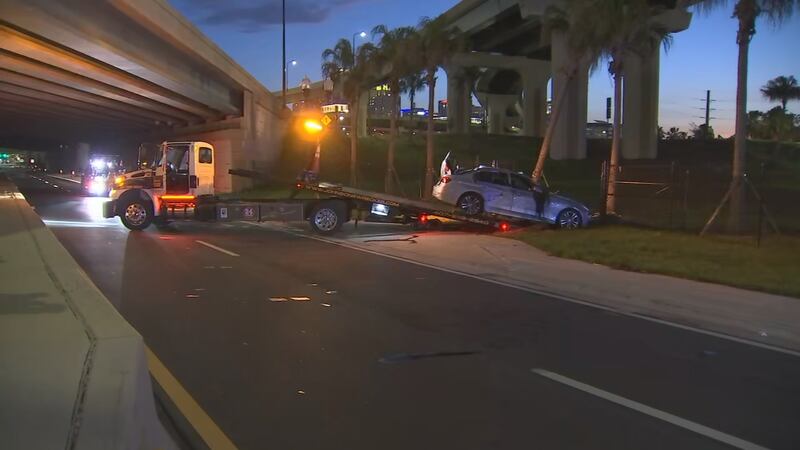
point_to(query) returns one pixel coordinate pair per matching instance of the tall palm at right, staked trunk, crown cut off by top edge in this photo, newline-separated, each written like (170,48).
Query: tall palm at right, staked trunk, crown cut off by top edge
(746,11)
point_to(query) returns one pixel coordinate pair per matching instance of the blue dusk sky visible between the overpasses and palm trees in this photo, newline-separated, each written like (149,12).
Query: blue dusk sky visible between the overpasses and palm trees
(702,57)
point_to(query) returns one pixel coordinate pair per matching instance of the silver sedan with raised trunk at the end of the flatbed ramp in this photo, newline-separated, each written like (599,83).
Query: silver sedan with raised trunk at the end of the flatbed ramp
(503,192)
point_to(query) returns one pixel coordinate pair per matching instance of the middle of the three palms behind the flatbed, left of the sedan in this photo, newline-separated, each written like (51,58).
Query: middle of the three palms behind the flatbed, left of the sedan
(393,59)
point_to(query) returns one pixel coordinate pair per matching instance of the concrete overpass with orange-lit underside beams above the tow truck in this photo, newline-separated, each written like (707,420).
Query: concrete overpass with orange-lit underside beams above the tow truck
(119,72)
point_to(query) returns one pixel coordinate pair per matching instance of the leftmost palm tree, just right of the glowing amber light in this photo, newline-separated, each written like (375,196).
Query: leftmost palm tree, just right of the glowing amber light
(353,73)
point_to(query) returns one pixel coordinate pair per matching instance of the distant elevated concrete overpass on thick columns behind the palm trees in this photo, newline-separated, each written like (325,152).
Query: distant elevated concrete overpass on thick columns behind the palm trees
(512,62)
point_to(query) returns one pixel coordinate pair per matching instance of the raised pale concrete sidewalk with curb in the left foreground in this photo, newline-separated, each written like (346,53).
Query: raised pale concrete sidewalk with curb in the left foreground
(73,372)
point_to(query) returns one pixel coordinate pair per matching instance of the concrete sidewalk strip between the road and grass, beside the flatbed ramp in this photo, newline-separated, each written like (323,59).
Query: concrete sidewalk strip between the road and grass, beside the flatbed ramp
(754,316)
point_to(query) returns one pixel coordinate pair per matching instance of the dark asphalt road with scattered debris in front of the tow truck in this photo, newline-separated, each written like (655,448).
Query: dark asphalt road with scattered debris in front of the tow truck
(390,355)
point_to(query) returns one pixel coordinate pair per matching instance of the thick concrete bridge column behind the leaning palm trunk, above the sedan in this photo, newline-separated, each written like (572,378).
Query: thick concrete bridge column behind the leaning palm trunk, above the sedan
(569,137)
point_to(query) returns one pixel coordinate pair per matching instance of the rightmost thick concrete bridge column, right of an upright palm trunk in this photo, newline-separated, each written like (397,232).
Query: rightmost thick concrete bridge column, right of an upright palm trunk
(640,107)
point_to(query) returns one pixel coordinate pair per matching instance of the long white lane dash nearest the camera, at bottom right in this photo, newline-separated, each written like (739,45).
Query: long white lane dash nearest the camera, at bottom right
(652,412)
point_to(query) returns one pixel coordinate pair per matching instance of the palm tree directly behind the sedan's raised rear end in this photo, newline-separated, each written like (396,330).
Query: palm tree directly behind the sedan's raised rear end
(435,45)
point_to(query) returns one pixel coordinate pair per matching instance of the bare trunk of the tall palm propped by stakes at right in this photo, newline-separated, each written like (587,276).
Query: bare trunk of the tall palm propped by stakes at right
(740,138)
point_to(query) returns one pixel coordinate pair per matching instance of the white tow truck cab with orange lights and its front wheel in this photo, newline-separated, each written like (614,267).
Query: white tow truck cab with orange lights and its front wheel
(174,175)
